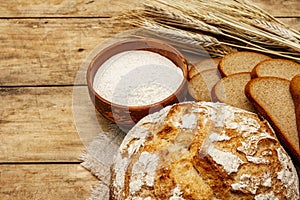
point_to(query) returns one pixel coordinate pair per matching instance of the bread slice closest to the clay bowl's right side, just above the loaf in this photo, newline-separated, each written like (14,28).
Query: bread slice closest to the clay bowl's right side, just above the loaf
(201,84)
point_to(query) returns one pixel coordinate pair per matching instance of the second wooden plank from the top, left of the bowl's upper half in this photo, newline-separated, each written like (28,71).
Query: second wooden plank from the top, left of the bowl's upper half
(49,51)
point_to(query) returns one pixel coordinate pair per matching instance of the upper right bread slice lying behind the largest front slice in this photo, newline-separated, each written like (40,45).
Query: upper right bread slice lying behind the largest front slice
(280,68)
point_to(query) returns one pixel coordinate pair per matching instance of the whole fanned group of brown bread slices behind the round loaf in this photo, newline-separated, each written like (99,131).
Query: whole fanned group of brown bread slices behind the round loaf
(257,83)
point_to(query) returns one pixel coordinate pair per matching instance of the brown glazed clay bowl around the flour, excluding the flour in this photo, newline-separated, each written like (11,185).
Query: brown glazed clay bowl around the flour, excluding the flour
(128,116)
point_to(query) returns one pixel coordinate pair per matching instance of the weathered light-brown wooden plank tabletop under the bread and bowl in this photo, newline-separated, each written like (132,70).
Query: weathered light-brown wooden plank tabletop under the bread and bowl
(42,46)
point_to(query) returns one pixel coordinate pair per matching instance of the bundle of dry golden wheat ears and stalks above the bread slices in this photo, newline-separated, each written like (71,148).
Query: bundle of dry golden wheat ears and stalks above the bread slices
(212,24)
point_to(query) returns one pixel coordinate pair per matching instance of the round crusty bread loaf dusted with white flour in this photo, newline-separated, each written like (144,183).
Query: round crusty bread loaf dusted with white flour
(202,150)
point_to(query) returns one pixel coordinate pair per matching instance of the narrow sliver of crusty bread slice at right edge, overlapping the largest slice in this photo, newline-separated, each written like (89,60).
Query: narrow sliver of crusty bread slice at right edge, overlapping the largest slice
(295,91)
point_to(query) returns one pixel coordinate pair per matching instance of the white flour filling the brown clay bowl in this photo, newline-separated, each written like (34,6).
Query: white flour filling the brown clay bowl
(137,77)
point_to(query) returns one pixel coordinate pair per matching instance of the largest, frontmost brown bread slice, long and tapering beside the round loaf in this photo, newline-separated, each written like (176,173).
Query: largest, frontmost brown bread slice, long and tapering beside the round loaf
(271,97)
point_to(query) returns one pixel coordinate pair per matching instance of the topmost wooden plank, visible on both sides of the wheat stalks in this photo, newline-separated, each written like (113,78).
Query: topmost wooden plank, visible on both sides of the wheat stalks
(105,8)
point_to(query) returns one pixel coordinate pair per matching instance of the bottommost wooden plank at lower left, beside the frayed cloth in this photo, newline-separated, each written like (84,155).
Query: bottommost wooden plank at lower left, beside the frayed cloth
(45,182)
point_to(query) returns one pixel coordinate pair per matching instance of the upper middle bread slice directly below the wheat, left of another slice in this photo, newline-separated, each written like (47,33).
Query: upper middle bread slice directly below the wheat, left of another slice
(237,62)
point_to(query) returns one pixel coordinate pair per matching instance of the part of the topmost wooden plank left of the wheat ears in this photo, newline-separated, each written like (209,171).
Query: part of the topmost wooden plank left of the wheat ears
(64,8)
